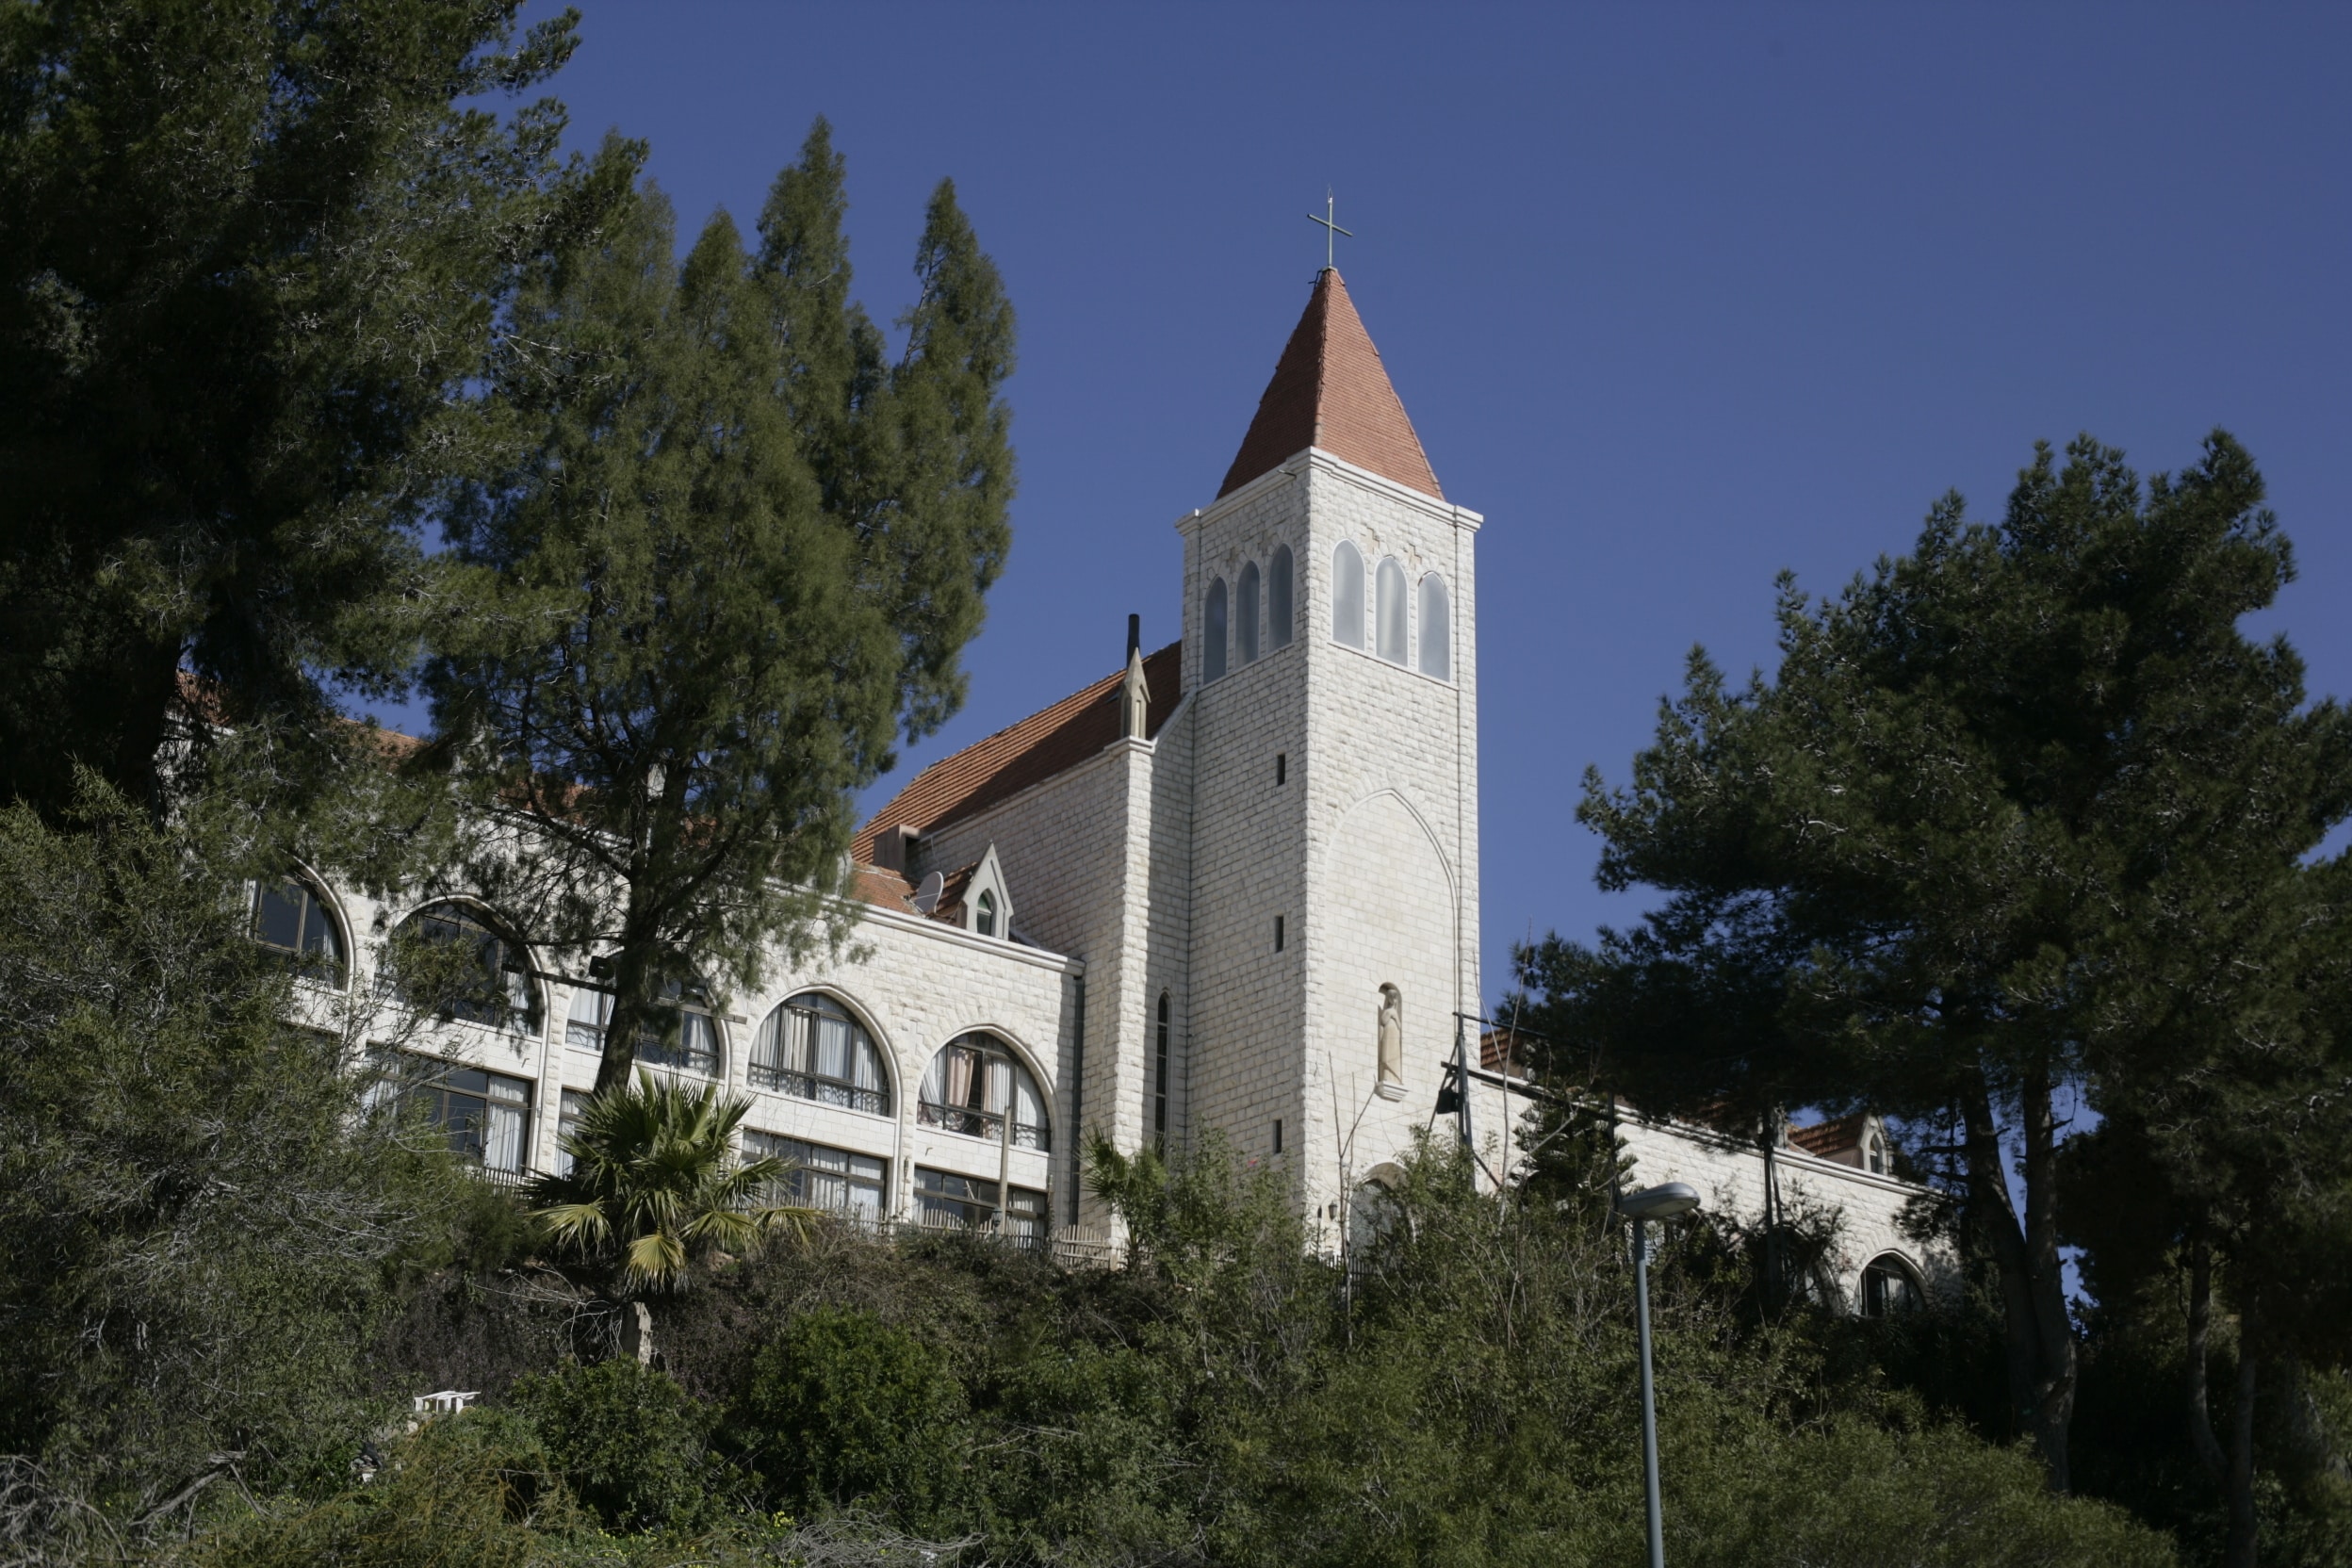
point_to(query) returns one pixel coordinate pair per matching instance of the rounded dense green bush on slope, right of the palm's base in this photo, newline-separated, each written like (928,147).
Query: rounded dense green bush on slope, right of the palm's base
(850,1412)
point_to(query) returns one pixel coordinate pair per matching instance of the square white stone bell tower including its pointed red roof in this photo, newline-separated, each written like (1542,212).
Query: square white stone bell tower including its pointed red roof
(1330,652)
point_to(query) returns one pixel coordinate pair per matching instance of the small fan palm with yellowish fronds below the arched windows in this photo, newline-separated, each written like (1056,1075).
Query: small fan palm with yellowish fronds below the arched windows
(655,1186)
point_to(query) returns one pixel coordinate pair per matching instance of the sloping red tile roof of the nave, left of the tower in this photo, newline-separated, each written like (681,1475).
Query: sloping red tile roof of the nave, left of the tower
(1022,756)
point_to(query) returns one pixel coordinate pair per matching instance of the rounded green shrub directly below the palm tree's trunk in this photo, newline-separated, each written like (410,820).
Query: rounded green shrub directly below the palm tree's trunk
(627,1440)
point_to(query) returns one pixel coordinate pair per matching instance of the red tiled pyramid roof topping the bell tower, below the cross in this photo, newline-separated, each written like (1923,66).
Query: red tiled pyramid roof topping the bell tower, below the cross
(1332,391)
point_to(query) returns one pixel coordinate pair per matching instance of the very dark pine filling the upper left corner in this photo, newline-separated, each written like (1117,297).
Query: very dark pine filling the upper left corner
(253,255)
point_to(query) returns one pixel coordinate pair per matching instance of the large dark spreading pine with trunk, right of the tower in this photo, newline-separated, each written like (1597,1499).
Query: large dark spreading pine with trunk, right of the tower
(2010,805)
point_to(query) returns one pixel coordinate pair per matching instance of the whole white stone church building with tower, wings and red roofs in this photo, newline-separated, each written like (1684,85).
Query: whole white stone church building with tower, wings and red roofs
(1234,885)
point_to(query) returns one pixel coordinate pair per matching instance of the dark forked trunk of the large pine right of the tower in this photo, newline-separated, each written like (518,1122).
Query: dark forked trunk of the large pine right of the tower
(2040,1336)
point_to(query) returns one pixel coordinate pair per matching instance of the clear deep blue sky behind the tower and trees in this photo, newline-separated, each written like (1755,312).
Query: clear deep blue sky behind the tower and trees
(1676,295)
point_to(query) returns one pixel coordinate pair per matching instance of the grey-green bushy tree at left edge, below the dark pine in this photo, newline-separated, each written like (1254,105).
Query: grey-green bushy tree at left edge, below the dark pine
(196,1217)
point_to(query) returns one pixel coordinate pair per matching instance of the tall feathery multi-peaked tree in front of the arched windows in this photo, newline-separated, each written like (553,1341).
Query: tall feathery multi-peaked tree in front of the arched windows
(735,554)
